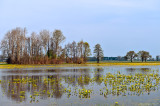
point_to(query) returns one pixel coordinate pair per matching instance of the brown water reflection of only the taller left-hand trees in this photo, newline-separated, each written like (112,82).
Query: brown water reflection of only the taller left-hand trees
(15,87)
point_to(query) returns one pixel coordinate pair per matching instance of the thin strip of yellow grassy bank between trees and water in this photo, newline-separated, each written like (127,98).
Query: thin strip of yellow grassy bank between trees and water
(115,63)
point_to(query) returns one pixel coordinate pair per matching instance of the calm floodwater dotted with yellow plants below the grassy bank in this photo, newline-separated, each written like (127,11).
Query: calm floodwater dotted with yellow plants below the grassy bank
(80,86)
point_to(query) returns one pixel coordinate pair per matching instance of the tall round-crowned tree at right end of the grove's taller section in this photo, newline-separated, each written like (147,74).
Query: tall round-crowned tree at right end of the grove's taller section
(58,38)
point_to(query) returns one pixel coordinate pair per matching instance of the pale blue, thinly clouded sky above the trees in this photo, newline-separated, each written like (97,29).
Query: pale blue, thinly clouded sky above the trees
(117,25)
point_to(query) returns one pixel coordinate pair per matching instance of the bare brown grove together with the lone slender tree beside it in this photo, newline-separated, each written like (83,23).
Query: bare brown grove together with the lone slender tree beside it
(44,48)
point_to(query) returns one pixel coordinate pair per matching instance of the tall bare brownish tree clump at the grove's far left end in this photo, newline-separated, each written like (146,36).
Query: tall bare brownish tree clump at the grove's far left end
(13,44)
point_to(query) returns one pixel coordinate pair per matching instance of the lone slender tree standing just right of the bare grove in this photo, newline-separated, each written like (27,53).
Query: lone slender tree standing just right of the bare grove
(98,52)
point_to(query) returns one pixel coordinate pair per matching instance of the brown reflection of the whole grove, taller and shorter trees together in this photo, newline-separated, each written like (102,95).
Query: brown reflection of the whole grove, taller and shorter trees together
(44,86)
